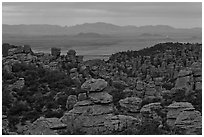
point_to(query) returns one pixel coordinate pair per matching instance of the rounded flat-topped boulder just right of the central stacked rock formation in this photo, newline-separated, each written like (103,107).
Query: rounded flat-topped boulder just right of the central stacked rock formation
(131,104)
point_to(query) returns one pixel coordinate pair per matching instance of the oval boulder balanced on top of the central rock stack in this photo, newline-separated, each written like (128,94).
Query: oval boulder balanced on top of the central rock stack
(94,85)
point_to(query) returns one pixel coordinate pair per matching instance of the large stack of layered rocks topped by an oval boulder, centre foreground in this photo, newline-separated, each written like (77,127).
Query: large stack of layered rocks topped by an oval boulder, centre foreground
(95,115)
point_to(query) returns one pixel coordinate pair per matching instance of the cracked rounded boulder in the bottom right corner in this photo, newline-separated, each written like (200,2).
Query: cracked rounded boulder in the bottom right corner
(190,122)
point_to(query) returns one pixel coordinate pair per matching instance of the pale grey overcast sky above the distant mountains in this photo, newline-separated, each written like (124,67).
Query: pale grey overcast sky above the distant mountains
(178,15)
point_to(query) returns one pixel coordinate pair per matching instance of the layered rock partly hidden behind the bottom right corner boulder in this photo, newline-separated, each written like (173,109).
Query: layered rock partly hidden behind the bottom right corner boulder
(175,109)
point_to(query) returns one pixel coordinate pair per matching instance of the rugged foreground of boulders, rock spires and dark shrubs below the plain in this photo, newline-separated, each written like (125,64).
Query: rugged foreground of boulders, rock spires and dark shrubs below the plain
(156,90)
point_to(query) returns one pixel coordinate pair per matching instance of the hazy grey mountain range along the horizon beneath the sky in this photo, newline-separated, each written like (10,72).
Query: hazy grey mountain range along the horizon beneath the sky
(98,29)
